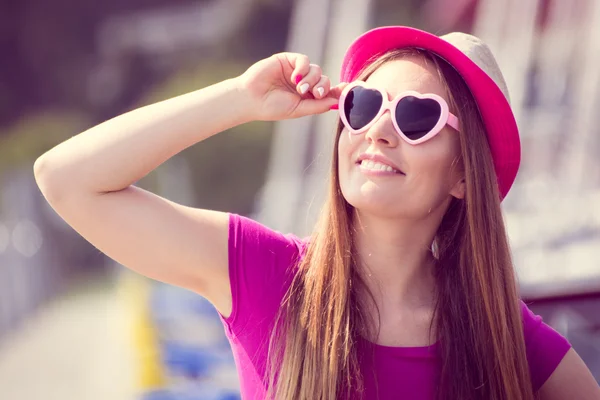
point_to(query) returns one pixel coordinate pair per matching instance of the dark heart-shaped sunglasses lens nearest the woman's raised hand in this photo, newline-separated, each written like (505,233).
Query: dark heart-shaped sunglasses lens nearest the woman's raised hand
(361,106)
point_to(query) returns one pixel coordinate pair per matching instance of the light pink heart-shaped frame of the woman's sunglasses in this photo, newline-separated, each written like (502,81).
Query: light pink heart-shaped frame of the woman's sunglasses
(446,117)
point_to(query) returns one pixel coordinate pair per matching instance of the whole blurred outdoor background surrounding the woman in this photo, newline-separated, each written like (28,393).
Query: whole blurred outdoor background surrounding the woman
(75,325)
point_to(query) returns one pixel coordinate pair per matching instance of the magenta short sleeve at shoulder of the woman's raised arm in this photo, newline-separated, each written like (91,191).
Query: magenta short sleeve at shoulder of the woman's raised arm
(260,265)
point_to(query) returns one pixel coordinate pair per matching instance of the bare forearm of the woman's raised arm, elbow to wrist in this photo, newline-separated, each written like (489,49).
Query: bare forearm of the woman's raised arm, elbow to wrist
(117,153)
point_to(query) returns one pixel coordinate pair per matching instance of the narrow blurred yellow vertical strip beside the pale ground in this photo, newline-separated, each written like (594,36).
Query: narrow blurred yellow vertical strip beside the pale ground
(136,291)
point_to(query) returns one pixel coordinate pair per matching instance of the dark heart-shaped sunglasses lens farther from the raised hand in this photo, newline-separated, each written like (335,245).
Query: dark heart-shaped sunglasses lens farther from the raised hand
(417,117)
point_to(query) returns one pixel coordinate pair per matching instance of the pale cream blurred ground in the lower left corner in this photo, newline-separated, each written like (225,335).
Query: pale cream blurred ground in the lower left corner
(76,347)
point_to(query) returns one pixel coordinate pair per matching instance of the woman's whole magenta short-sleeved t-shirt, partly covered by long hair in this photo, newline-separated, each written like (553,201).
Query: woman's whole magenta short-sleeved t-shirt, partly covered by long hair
(260,273)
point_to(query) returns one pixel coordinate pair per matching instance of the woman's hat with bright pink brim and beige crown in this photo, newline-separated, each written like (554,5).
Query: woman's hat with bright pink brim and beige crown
(475,63)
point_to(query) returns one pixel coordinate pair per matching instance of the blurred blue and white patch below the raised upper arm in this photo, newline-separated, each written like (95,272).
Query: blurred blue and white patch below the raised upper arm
(195,353)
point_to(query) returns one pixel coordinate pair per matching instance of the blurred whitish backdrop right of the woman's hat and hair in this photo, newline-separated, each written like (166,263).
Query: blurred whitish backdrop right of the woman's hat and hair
(550,52)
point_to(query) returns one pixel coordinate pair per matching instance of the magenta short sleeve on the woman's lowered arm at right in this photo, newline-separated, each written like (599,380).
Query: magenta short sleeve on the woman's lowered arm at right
(545,347)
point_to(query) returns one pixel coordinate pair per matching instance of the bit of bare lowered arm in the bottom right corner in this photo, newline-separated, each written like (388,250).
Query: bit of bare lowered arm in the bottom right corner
(570,380)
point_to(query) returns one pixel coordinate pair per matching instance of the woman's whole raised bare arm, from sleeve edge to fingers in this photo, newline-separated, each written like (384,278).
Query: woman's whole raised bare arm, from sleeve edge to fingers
(88,178)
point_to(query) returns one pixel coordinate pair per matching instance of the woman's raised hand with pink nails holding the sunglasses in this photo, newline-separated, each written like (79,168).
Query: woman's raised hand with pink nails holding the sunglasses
(287,85)
